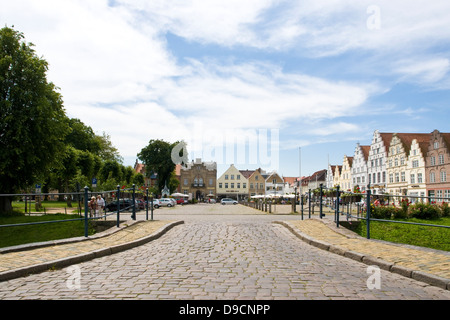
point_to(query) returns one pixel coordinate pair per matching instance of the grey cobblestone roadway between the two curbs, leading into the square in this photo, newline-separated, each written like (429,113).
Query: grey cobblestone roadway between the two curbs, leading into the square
(220,254)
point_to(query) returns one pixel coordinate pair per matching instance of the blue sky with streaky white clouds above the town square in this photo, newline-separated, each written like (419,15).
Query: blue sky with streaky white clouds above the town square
(246,82)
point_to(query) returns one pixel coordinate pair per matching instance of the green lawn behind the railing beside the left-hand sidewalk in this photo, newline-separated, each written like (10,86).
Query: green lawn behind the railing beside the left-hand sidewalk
(12,236)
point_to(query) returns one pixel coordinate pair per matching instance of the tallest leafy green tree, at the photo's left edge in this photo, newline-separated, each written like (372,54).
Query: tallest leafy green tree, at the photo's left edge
(33,121)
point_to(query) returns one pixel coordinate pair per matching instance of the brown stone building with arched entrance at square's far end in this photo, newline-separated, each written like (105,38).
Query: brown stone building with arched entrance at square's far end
(198,179)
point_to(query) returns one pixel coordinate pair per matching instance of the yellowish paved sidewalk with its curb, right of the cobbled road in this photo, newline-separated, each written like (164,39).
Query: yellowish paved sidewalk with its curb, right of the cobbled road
(422,264)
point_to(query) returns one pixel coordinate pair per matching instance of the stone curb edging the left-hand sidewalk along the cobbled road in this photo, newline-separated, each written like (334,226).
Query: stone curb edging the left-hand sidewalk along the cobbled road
(64,262)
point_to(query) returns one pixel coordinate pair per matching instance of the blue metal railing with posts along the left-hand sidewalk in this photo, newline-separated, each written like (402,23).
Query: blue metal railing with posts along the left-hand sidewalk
(120,203)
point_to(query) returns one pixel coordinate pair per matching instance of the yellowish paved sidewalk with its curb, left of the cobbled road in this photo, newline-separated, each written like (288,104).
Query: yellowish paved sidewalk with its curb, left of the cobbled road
(34,258)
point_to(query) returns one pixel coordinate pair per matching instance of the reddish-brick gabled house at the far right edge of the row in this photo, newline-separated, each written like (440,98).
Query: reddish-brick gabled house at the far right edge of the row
(438,167)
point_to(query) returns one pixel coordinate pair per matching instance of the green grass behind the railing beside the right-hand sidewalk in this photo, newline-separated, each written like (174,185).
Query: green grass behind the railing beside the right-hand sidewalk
(422,236)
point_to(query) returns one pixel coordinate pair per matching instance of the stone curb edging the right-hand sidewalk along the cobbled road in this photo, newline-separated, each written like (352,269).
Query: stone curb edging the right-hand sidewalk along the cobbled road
(421,276)
